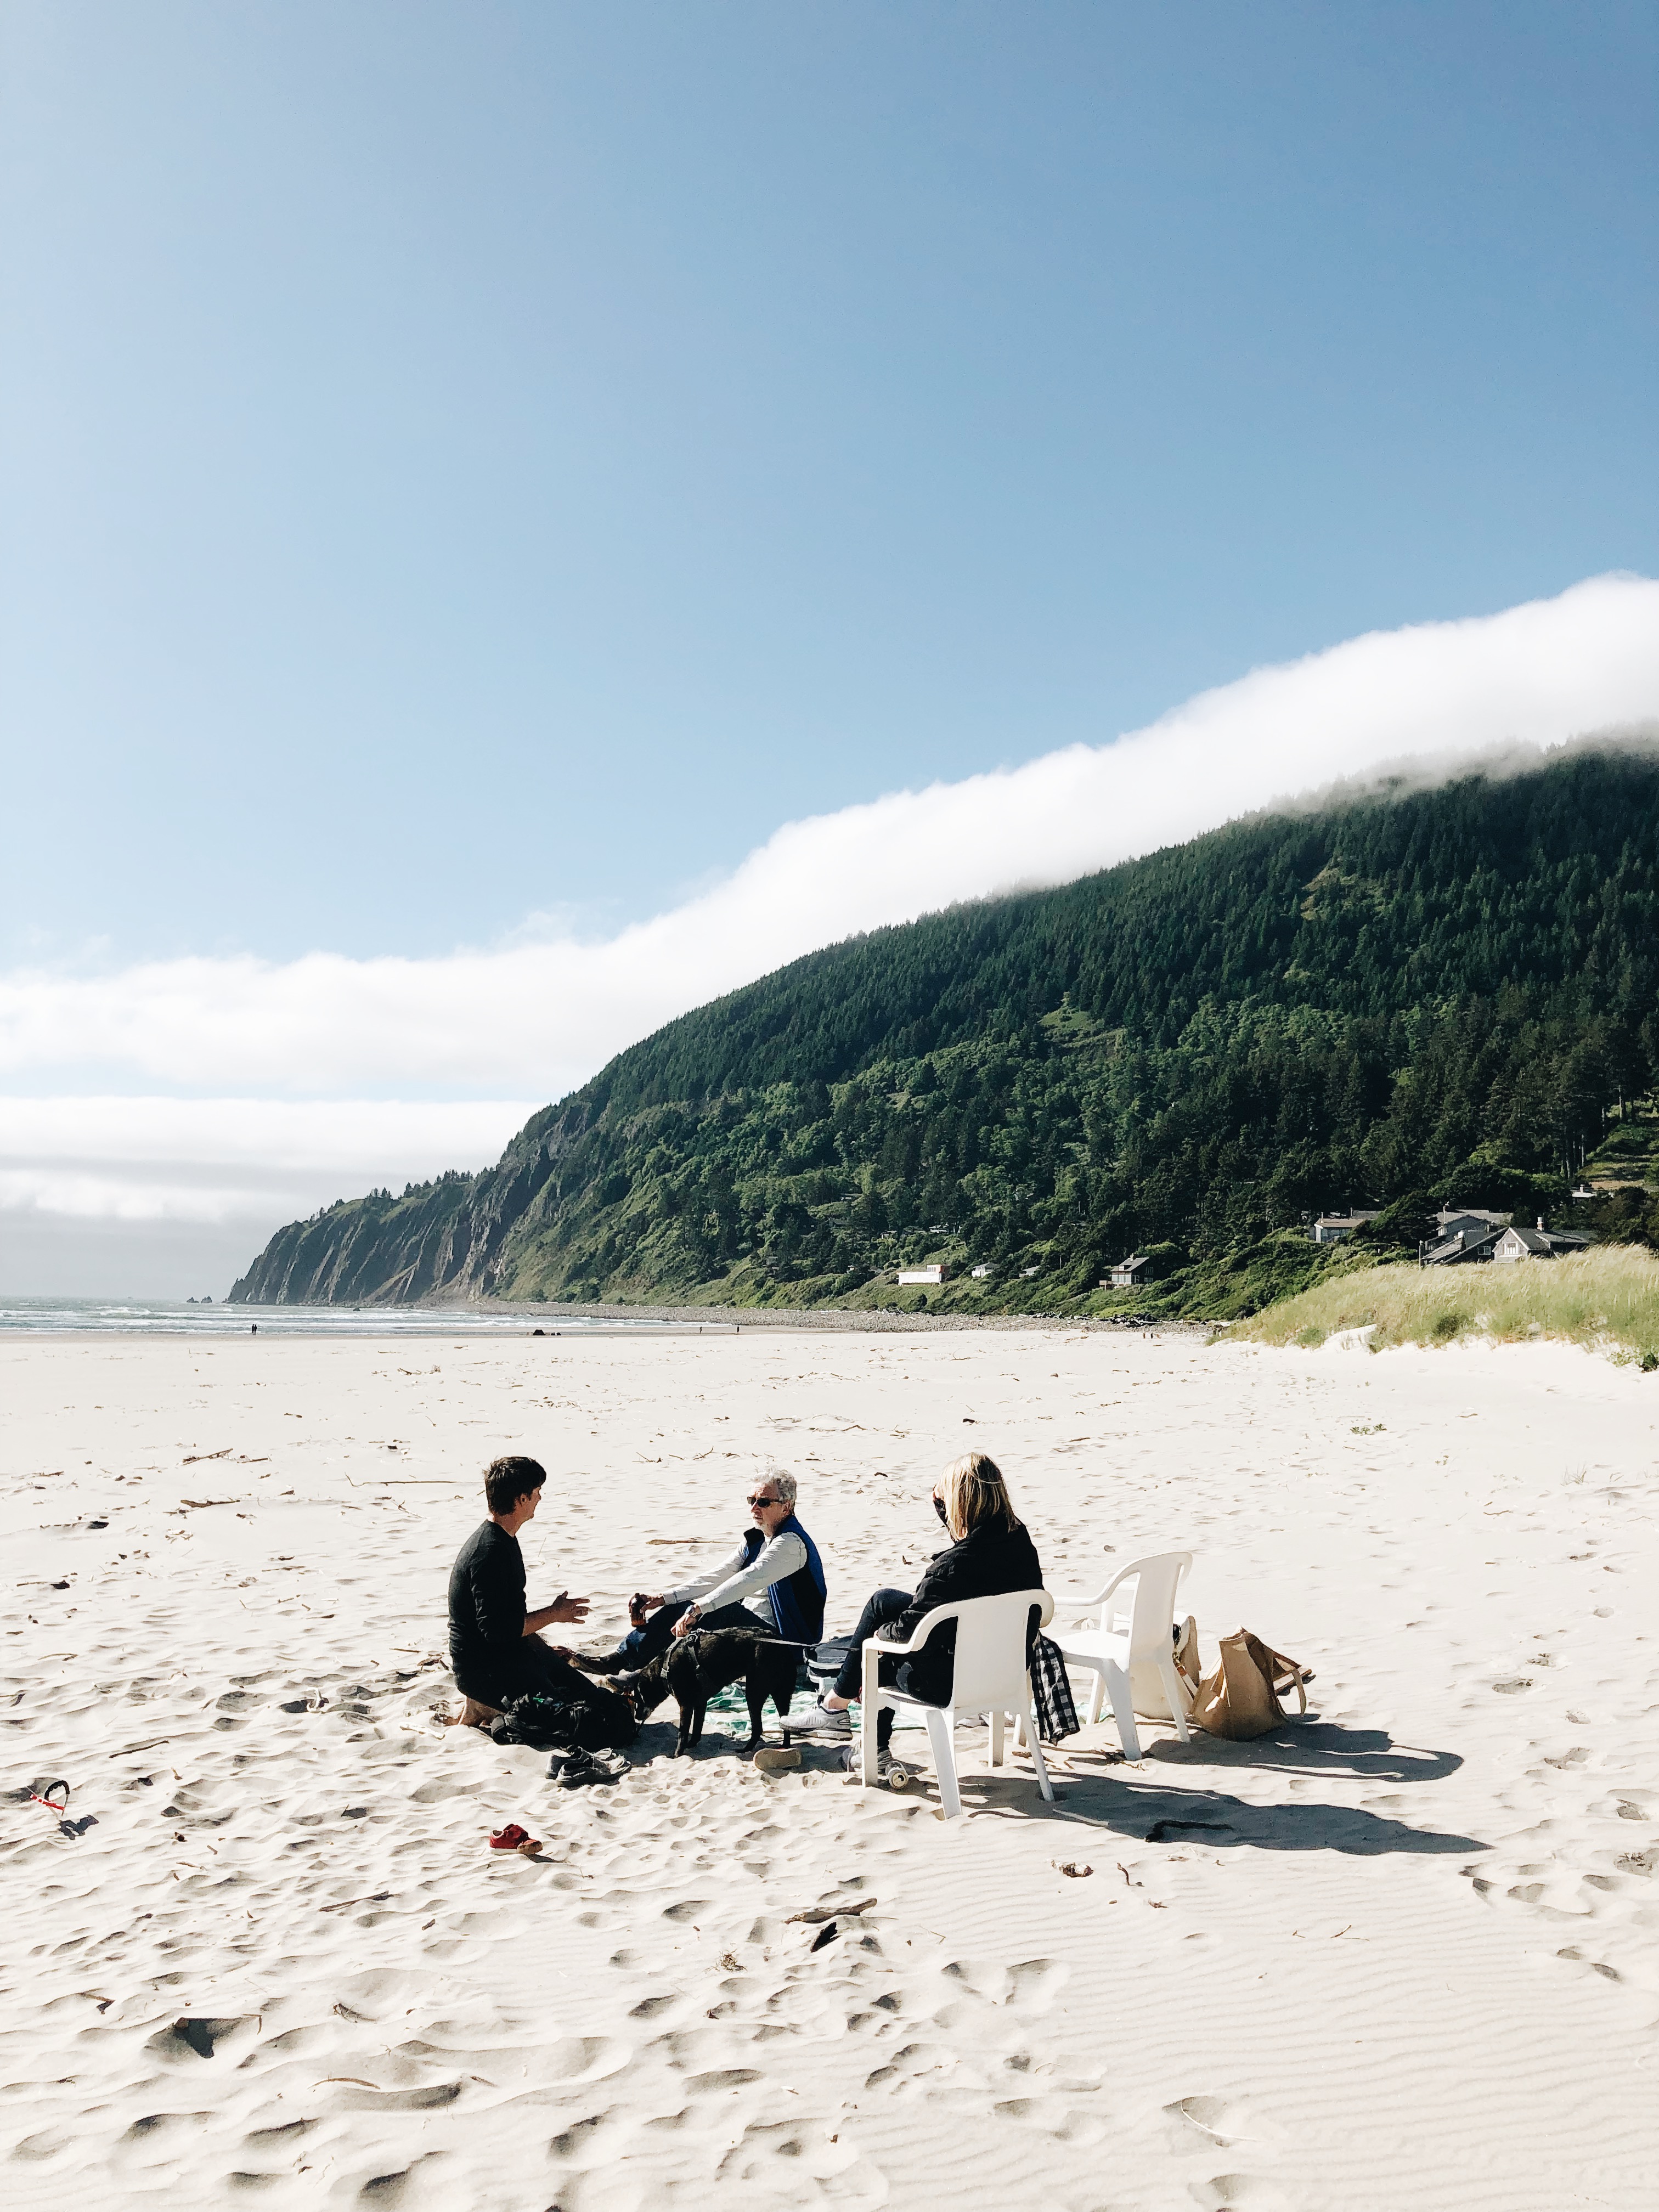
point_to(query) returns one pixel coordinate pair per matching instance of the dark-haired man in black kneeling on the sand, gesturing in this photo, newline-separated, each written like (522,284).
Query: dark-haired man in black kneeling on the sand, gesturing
(494,1642)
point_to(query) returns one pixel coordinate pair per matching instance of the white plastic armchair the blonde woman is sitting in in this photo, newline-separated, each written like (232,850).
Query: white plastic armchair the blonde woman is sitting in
(990,1676)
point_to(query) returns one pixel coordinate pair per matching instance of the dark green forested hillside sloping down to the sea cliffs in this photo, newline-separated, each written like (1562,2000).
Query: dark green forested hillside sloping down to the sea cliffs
(1404,999)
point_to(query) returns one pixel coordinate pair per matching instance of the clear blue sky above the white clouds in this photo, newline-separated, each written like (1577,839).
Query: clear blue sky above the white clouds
(483,461)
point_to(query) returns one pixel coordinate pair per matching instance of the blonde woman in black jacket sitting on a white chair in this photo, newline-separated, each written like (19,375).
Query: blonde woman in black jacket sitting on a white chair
(990,1554)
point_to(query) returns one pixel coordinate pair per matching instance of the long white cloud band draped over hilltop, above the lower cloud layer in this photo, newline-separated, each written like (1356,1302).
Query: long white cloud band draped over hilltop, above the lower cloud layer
(539,1019)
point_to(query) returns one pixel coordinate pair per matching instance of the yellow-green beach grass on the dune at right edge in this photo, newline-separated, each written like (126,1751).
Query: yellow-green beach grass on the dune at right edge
(1607,1297)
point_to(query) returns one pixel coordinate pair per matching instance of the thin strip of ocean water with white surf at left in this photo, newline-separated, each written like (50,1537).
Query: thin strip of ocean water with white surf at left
(160,1317)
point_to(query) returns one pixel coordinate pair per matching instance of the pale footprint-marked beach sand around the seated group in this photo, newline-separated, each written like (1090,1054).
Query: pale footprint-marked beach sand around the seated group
(1417,1965)
